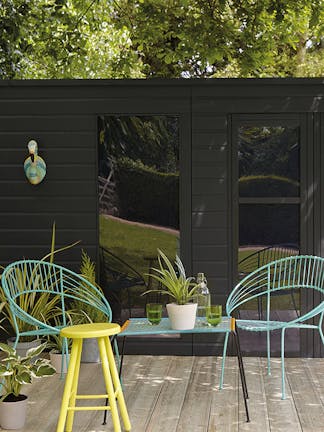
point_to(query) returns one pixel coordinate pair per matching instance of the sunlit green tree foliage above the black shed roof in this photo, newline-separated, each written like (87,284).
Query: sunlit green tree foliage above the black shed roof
(161,38)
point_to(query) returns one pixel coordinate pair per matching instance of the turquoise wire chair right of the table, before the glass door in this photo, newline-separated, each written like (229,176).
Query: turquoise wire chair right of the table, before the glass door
(291,273)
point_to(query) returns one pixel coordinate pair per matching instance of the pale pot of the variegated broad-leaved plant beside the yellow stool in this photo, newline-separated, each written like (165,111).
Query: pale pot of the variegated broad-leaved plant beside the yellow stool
(13,414)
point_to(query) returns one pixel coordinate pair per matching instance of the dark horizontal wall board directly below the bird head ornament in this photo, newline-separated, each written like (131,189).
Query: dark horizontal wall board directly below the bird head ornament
(53,188)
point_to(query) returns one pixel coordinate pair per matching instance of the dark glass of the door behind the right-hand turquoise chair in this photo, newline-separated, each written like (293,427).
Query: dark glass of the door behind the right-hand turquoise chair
(269,193)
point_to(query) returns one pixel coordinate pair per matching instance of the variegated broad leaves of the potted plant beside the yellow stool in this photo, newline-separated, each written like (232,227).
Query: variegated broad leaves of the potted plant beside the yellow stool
(15,371)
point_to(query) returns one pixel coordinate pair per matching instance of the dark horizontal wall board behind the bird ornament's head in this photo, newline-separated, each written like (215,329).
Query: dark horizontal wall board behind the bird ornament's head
(51,154)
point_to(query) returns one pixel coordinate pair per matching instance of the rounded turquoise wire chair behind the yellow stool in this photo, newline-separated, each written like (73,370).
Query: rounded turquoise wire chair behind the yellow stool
(24,281)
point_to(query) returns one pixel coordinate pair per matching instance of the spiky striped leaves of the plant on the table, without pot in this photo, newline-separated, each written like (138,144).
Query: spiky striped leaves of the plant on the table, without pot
(174,282)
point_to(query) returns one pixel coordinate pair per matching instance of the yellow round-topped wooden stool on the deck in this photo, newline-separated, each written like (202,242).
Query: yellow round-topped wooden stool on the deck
(100,331)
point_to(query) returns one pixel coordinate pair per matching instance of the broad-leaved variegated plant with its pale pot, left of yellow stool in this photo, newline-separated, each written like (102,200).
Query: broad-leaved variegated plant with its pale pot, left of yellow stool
(15,371)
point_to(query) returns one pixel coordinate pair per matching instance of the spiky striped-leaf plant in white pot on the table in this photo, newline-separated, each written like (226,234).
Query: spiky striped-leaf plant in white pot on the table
(180,288)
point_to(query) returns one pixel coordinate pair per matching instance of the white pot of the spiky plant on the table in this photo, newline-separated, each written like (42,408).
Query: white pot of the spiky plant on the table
(182,317)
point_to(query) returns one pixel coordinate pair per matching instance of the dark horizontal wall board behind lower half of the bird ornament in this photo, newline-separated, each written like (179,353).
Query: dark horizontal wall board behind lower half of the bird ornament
(54,172)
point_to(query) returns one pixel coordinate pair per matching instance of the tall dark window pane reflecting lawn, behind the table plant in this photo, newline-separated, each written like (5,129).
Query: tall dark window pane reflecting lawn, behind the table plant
(138,164)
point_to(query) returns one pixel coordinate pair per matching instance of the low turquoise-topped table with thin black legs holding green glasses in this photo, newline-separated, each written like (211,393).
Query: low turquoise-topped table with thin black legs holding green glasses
(142,327)
